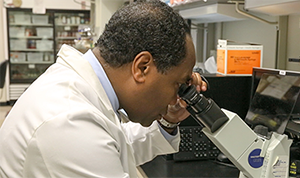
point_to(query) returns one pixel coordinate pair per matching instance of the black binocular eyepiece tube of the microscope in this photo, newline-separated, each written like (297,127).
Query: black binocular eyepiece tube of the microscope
(202,109)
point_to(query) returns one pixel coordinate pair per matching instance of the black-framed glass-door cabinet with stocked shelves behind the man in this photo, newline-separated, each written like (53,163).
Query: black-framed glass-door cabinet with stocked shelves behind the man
(35,39)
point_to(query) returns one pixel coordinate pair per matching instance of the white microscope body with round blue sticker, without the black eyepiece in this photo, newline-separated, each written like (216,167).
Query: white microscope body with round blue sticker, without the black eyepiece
(254,155)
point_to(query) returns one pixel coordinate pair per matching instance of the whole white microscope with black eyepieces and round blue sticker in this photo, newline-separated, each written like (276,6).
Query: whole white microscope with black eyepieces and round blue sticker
(256,153)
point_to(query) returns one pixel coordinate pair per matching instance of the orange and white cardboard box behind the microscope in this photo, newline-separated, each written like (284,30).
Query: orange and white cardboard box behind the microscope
(238,59)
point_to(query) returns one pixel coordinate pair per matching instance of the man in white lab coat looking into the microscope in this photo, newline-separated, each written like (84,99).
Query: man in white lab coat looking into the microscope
(67,123)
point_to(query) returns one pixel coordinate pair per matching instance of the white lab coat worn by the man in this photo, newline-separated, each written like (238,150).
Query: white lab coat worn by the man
(65,126)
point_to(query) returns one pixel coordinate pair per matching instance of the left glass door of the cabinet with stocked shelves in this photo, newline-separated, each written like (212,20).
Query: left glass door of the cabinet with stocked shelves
(31,46)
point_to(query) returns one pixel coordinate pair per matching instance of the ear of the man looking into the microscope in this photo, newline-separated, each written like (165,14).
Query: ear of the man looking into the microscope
(141,66)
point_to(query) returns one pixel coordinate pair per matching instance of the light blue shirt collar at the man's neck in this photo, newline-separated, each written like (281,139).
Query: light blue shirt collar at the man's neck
(110,92)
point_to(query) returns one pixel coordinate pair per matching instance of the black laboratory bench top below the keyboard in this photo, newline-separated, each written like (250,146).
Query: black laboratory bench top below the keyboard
(162,167)
